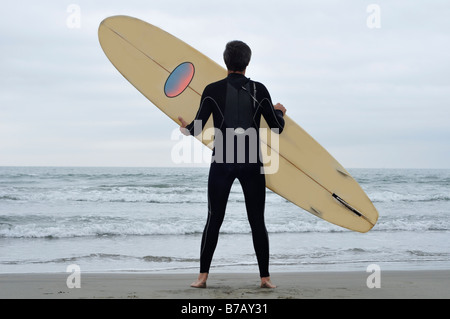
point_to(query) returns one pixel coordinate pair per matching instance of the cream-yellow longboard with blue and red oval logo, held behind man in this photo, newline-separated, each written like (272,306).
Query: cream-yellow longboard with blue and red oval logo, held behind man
(172,75)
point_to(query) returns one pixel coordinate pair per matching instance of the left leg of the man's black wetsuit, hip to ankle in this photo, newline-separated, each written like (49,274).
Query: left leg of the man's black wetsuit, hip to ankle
(220,180)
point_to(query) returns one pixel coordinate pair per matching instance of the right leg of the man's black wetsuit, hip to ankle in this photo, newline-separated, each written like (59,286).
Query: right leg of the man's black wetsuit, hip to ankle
(254,188)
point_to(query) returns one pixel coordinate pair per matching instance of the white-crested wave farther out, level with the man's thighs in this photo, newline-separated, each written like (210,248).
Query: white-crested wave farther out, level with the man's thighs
(169,193)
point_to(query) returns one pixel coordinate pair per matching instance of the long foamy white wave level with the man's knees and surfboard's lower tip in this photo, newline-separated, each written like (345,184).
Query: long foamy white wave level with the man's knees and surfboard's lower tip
(97,226)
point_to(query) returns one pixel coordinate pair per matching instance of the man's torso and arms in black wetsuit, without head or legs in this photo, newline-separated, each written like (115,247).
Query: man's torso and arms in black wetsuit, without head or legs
(236,104)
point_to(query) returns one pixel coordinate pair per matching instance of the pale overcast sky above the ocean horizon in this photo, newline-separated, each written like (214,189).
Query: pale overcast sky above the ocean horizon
(373,97)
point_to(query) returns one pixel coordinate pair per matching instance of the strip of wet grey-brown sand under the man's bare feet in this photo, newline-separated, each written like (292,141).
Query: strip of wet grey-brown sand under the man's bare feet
(331,285)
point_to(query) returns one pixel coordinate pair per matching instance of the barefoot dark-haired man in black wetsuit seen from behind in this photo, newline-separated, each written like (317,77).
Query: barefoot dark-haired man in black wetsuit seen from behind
(236,104)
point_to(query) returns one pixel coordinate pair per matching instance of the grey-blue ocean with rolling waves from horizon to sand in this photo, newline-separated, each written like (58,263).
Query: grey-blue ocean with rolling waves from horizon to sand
(151,220)
